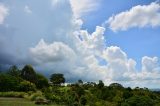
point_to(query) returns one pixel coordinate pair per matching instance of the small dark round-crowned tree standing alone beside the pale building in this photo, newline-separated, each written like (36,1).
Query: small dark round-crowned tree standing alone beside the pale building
(57,79)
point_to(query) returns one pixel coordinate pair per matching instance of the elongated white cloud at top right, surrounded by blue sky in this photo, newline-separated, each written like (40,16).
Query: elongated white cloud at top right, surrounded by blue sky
(138,16)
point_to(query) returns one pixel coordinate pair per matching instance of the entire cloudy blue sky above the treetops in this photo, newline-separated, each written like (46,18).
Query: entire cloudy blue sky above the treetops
(109,40)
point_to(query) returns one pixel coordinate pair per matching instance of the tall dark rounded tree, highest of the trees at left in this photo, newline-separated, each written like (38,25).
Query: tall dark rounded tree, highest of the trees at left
(28,73)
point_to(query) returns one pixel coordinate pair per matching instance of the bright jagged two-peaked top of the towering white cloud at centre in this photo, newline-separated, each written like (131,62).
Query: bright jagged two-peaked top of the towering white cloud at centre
(94,41)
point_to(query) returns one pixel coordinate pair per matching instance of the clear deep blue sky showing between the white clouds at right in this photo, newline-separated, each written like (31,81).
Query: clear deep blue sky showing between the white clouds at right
(136,42)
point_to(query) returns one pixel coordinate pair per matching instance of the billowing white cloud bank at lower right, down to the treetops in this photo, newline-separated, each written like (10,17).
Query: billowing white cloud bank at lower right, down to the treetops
(121,69)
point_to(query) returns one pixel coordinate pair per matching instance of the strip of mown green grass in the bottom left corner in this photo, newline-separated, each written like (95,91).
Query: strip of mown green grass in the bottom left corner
(18,102)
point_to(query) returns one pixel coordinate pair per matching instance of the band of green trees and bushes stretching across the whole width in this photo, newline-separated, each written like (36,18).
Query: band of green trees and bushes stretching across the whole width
(30,82)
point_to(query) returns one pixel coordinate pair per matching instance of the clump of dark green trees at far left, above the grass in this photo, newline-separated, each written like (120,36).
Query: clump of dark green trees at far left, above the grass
(22,80)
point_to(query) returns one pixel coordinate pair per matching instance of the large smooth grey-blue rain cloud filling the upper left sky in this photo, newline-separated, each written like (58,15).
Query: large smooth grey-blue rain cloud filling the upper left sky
(22,30)
